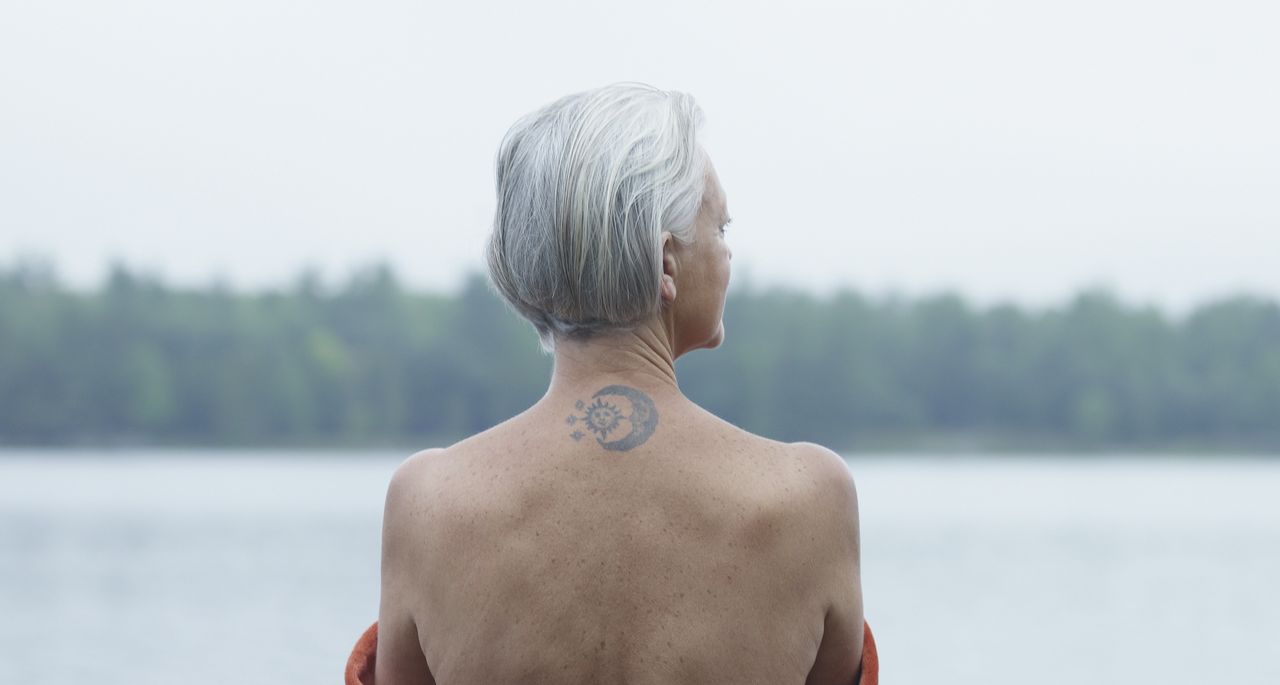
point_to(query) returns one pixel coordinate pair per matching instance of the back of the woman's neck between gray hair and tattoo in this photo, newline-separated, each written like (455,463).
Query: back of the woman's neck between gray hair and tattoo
(643,358)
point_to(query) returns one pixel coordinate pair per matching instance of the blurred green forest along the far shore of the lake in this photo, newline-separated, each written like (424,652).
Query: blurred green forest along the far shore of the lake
(369,363)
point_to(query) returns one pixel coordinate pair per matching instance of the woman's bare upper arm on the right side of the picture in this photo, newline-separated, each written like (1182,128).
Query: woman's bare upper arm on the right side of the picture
(839,552)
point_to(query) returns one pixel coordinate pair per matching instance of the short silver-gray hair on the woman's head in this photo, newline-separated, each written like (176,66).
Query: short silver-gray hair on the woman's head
(586,189)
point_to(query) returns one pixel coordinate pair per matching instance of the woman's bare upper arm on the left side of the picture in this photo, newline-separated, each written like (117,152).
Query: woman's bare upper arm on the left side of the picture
(400,657)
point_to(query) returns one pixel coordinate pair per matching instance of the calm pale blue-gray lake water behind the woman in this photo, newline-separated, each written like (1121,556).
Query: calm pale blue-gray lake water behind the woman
(262,568)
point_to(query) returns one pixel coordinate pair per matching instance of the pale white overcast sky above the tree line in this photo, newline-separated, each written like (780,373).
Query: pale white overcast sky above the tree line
(1011,150)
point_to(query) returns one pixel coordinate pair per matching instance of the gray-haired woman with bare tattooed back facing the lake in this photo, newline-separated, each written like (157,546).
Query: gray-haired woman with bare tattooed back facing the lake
(616,532)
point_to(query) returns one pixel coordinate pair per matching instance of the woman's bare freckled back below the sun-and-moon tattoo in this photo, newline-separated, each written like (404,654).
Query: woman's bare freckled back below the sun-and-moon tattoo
(702,554)
